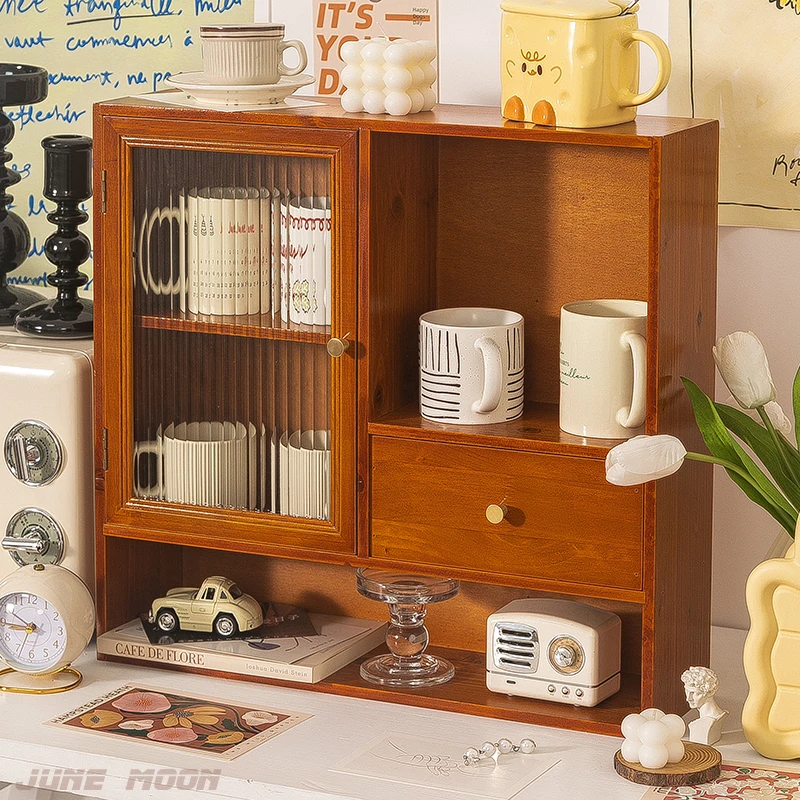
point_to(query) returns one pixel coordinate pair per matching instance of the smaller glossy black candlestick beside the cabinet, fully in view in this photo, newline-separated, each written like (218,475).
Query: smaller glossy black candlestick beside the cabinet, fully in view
(68,182)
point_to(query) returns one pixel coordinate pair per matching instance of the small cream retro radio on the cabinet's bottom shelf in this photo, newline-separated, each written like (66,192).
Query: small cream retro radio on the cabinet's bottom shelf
(554,650)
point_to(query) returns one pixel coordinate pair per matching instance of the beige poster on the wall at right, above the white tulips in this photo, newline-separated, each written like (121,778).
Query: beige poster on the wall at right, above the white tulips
(744,73)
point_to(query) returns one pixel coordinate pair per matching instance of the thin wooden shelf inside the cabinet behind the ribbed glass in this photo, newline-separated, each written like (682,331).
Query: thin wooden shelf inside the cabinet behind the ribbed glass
(254,327)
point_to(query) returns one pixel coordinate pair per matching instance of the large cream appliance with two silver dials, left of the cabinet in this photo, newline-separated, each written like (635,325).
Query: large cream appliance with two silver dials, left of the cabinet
(46,463)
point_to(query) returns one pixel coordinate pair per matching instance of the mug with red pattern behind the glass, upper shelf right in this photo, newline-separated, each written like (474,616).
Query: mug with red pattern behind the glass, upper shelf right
(306,260)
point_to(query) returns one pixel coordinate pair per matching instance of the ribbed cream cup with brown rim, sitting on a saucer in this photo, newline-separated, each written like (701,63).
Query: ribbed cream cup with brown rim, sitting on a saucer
(248,55)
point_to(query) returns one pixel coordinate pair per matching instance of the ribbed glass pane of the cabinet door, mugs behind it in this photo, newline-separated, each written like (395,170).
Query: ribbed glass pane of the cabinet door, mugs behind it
(232,306)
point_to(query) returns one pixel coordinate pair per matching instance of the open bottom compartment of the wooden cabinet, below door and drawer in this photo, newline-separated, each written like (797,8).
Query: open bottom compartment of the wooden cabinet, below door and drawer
(457,628)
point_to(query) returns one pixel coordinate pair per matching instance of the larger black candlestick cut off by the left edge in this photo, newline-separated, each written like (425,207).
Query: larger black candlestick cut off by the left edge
(20,85)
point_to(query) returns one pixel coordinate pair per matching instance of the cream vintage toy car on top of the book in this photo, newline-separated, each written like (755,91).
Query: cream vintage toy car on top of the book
(219,606)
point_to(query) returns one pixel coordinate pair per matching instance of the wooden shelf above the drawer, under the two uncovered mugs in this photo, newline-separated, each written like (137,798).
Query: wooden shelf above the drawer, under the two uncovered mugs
(536,430)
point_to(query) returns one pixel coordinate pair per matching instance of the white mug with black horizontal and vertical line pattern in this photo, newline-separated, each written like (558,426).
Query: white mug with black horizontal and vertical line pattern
(472,365)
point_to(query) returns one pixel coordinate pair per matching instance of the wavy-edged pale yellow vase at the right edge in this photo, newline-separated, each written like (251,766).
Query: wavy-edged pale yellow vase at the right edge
(771,715)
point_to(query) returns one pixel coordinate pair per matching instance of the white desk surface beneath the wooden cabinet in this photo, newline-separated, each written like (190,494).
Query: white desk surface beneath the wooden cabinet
(295,765)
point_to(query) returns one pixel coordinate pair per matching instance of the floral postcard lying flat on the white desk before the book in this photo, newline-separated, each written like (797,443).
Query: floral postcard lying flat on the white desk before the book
(201,725)
